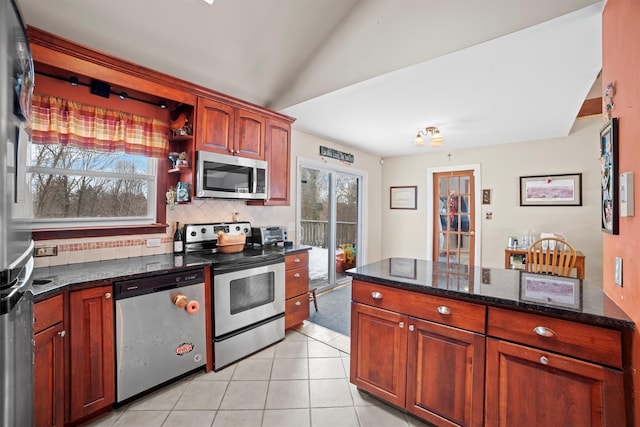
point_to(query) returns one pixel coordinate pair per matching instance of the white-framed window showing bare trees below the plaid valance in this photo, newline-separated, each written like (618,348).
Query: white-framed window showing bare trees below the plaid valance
(79,187)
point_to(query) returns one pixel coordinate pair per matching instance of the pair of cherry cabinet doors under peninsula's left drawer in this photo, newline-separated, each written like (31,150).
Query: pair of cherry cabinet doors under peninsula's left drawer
(434,371)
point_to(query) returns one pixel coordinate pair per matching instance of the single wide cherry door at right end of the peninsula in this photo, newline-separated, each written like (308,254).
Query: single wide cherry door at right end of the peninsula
(531,387)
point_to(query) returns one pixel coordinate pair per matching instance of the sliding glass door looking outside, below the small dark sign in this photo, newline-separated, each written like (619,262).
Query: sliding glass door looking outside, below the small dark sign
(329,220)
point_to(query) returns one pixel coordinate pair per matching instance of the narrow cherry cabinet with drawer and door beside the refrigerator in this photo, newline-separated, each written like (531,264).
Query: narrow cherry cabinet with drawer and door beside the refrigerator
(48,367)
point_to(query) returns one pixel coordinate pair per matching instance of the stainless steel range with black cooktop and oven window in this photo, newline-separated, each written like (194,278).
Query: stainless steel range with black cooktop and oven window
(248,295)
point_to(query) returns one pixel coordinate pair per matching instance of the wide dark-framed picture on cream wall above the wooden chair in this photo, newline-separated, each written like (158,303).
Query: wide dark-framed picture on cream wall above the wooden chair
(551,190)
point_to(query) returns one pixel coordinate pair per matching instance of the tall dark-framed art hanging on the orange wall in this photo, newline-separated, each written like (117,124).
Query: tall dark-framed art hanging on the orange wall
(609,176)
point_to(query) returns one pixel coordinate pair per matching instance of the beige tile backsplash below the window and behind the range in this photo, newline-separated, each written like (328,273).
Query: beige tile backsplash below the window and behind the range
(71,251)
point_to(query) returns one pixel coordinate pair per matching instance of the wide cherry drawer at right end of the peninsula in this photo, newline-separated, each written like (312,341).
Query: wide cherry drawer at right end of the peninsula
(562,336)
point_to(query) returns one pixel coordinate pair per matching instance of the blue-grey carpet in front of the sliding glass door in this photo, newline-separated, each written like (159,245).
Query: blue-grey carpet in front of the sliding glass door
(334,310)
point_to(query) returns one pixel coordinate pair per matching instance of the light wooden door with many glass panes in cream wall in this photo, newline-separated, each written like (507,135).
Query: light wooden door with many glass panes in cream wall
(453,220)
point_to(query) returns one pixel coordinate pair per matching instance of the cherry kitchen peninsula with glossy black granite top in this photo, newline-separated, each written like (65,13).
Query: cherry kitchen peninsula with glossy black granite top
(459,345)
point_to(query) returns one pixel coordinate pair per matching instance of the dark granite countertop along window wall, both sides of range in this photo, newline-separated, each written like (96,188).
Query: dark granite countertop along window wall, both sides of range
(50,280)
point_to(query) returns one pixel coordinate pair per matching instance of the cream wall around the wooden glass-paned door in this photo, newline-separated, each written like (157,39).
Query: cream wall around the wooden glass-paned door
(501,166)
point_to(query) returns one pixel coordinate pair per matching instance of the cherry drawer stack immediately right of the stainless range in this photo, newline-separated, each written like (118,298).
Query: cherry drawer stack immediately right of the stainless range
(296,289)
